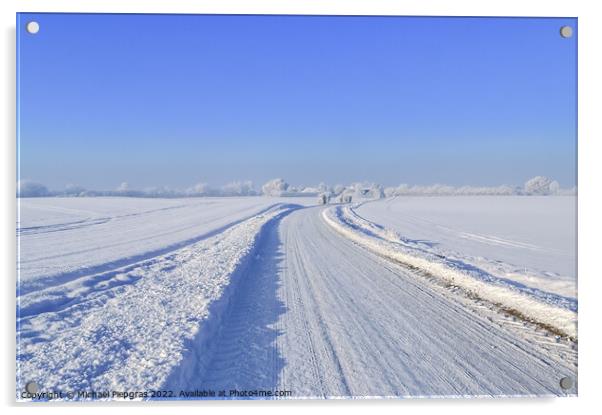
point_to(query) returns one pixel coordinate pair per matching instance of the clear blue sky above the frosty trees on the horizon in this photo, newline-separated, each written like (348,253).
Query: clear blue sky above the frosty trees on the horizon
(172,100)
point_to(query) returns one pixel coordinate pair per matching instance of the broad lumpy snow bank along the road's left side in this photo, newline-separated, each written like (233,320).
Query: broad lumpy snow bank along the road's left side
(130,328)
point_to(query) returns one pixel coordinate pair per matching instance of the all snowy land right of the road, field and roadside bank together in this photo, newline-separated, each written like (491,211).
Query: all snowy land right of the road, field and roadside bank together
(517,252)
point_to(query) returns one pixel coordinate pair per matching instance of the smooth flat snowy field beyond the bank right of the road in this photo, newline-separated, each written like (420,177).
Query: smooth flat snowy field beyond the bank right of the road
(529,239)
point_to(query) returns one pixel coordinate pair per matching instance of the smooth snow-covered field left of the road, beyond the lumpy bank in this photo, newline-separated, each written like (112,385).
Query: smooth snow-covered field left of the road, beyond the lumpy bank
(61,239)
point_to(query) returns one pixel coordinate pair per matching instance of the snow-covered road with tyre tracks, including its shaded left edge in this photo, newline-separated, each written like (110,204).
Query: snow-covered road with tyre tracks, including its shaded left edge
(320,316)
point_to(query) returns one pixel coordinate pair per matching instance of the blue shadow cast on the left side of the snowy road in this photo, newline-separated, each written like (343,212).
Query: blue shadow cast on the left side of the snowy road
(235,348)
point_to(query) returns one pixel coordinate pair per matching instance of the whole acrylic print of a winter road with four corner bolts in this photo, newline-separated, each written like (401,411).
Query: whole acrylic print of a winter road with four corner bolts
(276,207)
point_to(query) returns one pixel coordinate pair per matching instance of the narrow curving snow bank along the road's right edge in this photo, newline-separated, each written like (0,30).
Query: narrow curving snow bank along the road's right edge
(547,309)
